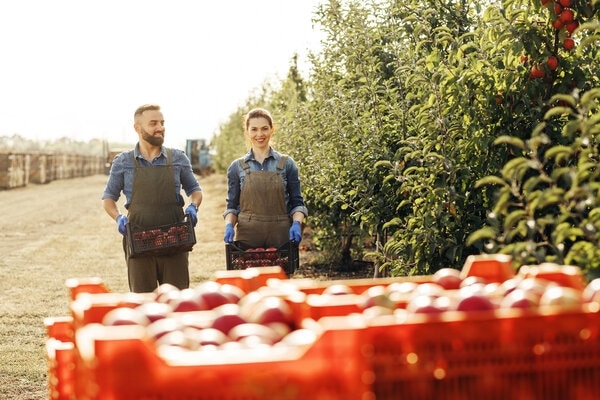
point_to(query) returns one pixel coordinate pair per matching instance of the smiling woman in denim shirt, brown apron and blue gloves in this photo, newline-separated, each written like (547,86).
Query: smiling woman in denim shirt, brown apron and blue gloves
(264,202)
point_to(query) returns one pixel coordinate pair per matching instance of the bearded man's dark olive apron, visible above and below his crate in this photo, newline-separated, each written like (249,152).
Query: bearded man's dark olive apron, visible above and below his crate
(153,203)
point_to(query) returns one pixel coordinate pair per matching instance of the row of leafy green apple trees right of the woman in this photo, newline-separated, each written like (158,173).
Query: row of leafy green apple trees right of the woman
(419,130)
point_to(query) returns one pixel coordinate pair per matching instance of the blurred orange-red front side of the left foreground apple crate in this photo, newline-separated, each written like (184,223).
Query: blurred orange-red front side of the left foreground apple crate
(117,363)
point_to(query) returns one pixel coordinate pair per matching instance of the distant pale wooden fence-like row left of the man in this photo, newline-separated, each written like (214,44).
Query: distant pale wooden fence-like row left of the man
(20,169)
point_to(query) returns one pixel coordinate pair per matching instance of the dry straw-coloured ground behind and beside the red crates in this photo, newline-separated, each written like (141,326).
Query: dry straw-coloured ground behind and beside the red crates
(56,231)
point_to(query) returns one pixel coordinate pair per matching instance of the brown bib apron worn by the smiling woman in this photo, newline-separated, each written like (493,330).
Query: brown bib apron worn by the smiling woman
(263,220)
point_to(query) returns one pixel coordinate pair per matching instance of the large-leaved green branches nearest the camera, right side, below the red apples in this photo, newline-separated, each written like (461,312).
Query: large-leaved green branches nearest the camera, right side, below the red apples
(548,204)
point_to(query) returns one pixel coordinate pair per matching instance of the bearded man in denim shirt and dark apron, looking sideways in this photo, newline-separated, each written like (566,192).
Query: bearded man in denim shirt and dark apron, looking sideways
(151,177)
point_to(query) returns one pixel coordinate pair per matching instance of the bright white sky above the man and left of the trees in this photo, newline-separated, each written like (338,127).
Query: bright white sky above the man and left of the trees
(79,68)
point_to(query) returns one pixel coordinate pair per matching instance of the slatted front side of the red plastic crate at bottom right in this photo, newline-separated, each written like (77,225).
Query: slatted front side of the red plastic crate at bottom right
(490,355)
